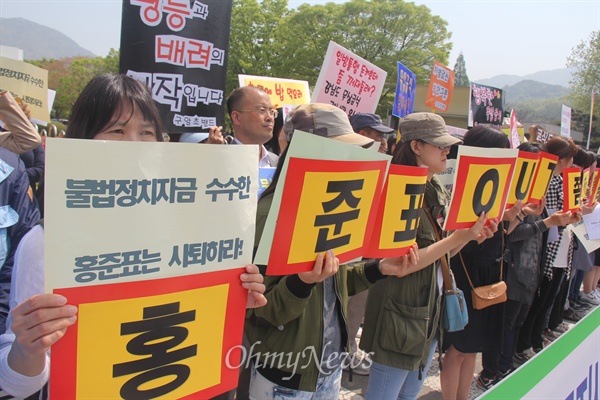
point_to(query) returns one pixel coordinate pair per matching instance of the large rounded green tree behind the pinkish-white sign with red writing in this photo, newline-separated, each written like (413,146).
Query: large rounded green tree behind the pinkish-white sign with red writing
(380,31)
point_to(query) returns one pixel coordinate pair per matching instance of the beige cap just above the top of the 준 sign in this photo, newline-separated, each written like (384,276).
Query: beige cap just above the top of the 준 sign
(323,120)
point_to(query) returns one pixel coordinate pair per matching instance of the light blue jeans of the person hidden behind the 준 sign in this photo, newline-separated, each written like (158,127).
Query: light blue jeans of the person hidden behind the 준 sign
(328,387)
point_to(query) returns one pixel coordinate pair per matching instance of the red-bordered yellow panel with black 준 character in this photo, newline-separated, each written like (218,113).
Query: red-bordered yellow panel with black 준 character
(325,205)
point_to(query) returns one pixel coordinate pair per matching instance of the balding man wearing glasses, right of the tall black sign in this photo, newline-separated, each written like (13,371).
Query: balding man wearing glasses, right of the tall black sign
(252,116)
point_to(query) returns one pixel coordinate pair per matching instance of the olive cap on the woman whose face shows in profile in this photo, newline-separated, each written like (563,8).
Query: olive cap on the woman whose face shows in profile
(428,127)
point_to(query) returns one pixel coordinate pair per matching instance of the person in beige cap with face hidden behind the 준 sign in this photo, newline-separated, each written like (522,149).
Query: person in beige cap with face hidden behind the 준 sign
(305,318)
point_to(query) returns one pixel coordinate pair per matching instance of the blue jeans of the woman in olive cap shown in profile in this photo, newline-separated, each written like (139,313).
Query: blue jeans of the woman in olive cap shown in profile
(387,383)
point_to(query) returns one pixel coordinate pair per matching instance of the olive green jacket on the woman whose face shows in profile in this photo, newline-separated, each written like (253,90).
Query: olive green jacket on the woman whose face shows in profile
(402,315)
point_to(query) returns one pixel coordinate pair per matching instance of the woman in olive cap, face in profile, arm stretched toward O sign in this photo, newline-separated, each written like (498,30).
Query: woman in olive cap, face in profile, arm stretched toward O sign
(412,303)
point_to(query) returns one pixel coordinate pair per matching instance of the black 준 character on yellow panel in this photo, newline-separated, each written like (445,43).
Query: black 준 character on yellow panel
(345,190)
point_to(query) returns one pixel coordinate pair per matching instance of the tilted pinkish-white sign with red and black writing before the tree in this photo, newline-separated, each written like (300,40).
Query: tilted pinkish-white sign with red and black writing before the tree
(348,81)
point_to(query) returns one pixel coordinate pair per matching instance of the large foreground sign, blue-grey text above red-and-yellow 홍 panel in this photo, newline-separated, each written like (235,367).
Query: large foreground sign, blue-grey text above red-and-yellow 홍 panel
(156,246)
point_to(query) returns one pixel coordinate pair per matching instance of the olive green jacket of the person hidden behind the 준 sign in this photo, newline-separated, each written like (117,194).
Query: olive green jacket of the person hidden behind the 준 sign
(286,335)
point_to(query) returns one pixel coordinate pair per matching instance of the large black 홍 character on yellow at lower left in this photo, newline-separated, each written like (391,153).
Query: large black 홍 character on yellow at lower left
(157,334)
